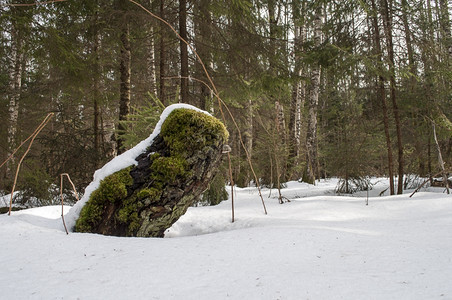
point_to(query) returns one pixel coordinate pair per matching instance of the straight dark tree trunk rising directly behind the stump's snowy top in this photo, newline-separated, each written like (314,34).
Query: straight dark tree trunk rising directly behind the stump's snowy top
(183,51)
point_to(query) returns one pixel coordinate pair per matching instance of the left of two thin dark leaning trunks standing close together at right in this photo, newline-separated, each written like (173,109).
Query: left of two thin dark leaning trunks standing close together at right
(382,95)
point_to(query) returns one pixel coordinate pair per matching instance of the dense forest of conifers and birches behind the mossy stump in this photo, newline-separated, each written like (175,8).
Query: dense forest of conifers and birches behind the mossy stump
(307,89)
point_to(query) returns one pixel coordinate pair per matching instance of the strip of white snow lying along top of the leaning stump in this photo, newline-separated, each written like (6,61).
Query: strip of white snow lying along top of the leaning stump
(122,161)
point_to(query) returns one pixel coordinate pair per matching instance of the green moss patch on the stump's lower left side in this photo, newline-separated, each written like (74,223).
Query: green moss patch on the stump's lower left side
(113,188)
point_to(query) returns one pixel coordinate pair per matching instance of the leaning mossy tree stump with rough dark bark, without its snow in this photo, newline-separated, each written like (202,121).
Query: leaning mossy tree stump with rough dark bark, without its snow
(146,199)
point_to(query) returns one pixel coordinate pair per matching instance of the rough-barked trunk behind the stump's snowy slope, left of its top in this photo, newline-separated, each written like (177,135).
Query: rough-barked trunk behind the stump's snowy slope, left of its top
(124,90)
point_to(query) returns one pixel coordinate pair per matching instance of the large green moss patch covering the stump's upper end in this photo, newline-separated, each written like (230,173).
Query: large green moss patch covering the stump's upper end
(186,131)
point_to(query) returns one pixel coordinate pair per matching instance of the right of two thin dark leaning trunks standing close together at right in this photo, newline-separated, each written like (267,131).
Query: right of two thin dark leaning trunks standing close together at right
(387,17)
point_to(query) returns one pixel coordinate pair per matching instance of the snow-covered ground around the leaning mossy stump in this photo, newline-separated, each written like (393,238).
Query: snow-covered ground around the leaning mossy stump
(318,246)
